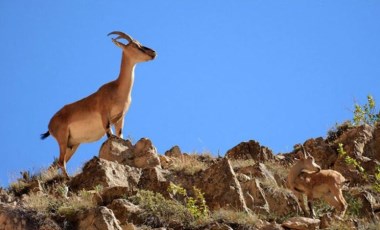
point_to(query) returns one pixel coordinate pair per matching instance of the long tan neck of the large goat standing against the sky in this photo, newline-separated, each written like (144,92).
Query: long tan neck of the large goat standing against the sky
(126,76)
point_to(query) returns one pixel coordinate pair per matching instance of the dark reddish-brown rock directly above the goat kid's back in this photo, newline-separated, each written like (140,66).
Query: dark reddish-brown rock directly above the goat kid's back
(324,154)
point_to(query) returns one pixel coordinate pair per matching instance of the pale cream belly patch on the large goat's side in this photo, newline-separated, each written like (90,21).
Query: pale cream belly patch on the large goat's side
(86,130)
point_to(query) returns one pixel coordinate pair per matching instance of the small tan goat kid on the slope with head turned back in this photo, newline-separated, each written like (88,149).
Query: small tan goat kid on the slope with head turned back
(306,177)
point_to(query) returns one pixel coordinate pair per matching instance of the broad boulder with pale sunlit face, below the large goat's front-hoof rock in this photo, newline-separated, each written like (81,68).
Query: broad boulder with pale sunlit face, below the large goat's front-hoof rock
(107,174)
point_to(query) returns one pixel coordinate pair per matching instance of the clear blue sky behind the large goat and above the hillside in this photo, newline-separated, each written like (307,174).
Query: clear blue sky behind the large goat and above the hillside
(278,72)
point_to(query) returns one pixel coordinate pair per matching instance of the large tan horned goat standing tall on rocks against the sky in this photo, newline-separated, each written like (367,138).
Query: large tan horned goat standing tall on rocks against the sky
(88,119)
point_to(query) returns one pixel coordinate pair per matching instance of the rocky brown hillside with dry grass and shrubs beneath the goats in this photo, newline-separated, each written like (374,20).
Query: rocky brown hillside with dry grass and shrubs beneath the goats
(131,186)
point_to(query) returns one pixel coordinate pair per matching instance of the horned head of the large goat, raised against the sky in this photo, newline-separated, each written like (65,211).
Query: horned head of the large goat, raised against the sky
(133,48)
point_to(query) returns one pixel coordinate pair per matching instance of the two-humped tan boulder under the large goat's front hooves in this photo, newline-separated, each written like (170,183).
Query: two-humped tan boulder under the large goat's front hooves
(142,155)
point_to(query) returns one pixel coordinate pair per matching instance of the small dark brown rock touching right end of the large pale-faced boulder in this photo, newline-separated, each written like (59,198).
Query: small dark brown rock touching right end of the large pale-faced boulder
(153,179)
